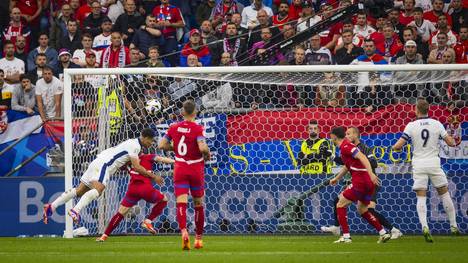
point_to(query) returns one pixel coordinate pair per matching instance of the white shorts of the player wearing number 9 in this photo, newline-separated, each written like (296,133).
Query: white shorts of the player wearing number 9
(422,175)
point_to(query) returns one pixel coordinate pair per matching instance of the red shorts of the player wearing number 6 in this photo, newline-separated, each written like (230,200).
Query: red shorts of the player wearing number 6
(189,177)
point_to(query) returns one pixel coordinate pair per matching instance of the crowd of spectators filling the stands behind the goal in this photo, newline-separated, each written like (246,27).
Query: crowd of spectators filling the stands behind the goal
(41,38)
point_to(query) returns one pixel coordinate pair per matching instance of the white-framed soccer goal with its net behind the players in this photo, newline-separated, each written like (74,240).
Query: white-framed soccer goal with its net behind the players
(262,177)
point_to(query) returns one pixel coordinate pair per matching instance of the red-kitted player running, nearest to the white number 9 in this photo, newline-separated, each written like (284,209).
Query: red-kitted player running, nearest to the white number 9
(363,181)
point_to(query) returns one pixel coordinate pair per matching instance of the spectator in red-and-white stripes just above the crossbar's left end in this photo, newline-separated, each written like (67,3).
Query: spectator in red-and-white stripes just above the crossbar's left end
(116,55)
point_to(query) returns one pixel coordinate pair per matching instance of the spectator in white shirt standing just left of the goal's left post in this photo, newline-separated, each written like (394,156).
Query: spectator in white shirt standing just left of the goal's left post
(49,92)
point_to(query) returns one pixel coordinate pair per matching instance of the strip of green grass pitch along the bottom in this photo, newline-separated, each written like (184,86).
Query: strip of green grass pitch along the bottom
(234,249)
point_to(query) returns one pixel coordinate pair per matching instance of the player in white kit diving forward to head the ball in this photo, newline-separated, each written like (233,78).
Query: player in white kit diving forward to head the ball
(94,180)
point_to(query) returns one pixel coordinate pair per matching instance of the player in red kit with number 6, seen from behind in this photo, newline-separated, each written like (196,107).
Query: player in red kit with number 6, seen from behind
(191,152)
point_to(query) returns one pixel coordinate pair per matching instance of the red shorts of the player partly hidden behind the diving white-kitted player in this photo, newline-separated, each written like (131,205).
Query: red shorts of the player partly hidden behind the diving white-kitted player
(139,190)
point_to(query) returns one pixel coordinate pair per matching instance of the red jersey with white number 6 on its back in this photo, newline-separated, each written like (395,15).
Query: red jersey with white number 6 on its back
(185,136)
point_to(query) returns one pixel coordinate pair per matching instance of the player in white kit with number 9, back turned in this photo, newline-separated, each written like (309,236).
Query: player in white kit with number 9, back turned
(424,134)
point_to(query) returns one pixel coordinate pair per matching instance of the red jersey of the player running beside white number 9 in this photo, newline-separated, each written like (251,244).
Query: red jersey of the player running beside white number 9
(359,175)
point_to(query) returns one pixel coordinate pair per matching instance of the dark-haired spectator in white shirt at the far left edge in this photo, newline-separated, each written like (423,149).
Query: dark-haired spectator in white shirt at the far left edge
(12,67)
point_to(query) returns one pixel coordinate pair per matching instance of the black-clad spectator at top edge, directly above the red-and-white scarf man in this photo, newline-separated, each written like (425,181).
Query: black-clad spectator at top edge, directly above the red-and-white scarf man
(128,22)
